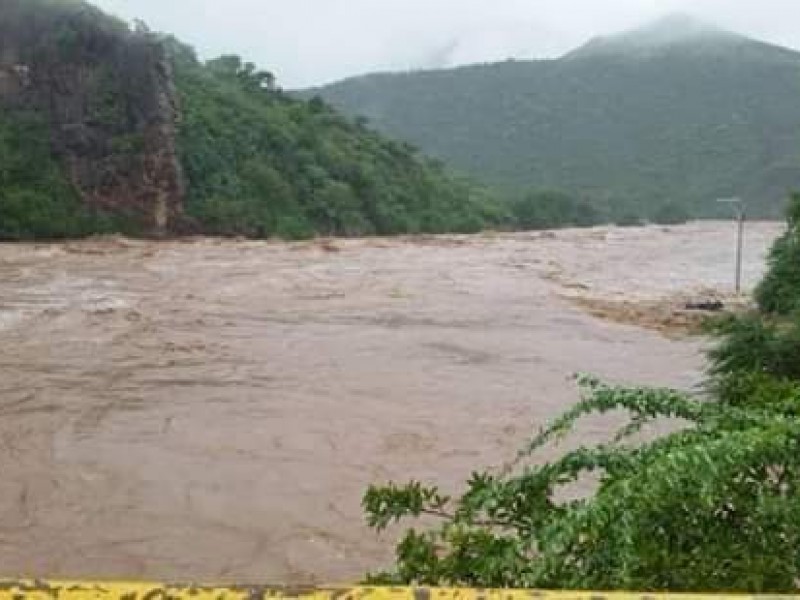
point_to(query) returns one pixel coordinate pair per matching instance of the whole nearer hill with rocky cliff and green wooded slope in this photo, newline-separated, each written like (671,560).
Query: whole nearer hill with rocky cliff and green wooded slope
(104,127)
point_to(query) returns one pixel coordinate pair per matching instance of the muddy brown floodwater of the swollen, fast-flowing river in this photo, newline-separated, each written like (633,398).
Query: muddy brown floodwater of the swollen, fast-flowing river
(213,410)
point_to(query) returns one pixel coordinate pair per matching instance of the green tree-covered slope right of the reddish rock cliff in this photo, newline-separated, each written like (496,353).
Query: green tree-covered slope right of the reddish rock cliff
(260,163)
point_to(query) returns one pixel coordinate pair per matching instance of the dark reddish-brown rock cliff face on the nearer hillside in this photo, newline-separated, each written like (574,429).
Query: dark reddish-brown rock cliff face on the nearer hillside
(108,94)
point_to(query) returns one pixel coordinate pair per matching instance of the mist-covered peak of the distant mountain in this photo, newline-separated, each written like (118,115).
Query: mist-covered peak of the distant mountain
(670,31)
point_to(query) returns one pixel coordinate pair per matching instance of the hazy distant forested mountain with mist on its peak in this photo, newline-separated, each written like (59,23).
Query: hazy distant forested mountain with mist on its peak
(678,111)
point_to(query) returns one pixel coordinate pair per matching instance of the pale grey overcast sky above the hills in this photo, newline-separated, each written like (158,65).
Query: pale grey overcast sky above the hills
(309,42)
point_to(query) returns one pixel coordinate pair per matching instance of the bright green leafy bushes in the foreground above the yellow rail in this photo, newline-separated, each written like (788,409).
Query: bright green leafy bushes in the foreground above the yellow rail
(712,507)
